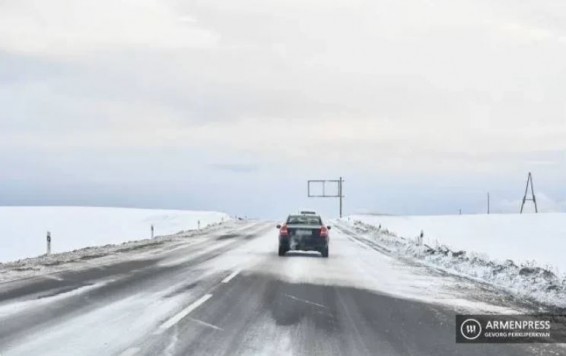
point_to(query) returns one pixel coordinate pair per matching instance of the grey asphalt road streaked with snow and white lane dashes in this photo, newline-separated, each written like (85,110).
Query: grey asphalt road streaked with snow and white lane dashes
(230,294)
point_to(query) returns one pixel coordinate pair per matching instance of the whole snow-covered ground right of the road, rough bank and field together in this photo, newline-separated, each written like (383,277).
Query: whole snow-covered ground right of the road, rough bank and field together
(523,254)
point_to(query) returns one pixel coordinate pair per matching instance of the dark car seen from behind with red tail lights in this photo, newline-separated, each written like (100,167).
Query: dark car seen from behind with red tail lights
(304,232)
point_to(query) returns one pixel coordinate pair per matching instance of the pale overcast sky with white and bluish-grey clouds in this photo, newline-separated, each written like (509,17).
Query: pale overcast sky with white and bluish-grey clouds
(423,106)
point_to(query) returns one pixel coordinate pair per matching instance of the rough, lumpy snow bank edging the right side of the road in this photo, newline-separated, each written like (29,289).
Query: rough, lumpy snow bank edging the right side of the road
(525,280)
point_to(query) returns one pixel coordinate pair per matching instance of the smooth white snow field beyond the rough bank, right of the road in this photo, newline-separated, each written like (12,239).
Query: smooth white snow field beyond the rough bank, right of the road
(523,238)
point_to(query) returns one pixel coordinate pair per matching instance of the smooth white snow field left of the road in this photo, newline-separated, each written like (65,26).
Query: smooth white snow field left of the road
(23,229)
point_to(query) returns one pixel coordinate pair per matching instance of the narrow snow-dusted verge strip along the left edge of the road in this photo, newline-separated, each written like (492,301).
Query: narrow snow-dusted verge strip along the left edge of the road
(47,264)
